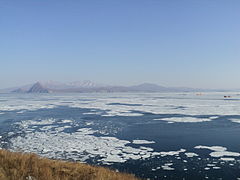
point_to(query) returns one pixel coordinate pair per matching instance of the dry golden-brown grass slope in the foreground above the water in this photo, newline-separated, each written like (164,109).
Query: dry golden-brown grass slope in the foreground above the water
(19,166)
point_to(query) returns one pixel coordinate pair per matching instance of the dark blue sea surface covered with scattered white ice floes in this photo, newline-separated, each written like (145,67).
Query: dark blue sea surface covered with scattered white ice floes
(153,135)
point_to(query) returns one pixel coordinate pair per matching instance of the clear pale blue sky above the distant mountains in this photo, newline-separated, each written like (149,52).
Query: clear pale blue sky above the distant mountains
(187,43)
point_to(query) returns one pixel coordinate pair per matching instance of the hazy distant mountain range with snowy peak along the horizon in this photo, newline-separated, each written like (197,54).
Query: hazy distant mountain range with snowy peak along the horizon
(89,86)
